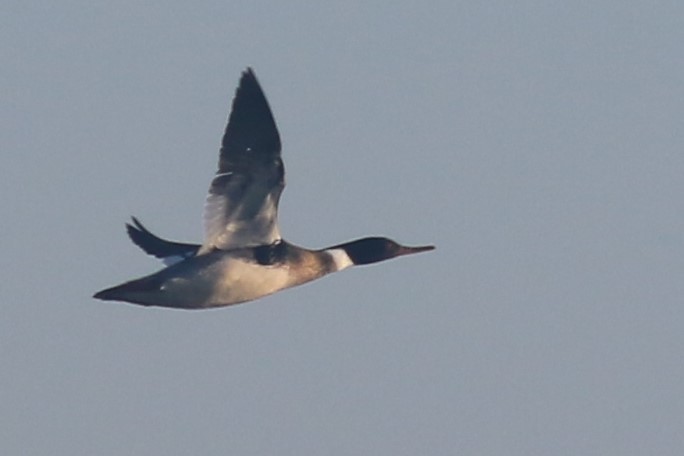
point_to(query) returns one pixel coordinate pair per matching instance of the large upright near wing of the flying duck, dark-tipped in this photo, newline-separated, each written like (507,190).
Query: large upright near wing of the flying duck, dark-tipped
(242,206)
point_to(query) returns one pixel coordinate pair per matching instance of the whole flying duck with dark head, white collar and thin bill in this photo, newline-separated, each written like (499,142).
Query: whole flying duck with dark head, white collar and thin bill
(243,256)
